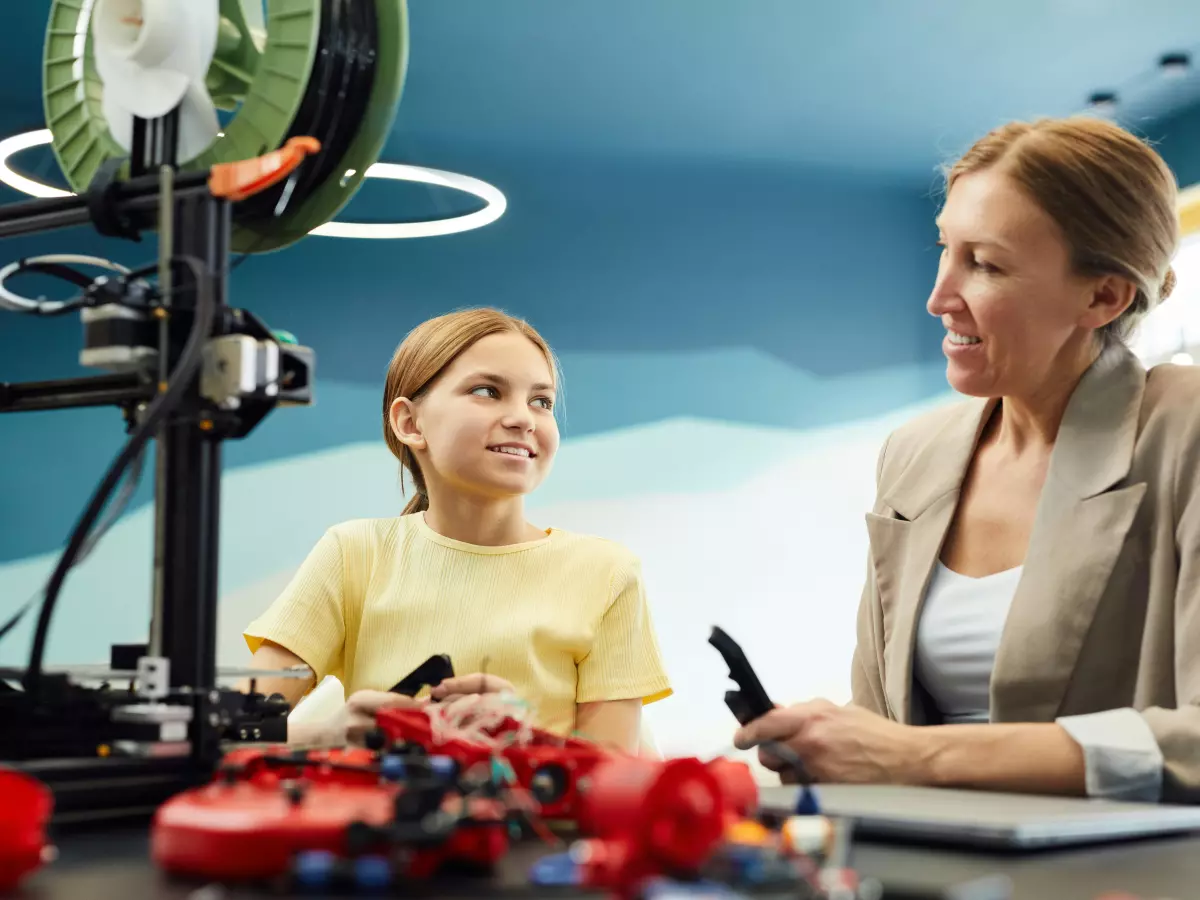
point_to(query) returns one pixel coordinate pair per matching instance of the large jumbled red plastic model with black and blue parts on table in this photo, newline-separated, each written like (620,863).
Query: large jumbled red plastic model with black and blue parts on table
(271,808)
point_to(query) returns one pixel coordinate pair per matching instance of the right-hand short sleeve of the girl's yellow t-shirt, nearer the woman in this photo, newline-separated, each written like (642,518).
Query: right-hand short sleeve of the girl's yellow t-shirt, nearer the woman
(625,662)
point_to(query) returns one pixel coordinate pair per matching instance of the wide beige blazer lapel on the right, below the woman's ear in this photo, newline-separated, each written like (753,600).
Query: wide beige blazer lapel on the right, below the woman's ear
(1079,531)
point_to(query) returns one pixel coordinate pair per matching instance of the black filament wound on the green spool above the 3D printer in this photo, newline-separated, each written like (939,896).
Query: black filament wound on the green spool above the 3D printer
(334,106)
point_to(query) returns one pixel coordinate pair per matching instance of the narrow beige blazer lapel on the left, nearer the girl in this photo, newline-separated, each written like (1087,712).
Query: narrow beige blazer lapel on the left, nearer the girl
(905,547)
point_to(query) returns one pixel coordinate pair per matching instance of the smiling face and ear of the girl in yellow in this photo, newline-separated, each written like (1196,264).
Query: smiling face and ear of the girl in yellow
(487,427)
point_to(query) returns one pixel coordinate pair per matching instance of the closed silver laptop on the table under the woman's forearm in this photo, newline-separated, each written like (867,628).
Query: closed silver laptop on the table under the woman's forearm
(986,819)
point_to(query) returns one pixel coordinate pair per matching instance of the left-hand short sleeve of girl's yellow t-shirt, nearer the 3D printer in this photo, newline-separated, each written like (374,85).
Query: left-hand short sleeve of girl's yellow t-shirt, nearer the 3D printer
(309,617)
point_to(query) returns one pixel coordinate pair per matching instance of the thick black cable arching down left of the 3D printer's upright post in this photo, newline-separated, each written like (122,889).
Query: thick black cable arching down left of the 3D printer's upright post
(161,406)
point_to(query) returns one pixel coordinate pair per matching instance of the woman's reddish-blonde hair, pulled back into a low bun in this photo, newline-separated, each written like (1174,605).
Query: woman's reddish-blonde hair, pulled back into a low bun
(1112,195)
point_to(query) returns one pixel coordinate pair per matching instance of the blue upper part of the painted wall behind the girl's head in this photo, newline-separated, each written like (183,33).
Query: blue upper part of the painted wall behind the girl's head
(745,295)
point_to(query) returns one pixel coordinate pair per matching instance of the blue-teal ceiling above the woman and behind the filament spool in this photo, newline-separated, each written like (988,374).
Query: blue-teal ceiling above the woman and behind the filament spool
(884,86)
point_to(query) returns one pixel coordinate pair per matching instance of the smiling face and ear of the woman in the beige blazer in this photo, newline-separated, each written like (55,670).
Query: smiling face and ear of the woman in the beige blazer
(1013,310)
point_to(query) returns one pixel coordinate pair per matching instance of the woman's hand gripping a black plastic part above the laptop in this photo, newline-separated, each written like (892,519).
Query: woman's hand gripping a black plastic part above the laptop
(841,745)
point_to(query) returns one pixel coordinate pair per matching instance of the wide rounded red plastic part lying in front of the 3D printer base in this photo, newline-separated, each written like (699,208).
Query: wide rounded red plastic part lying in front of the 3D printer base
(250,832)
